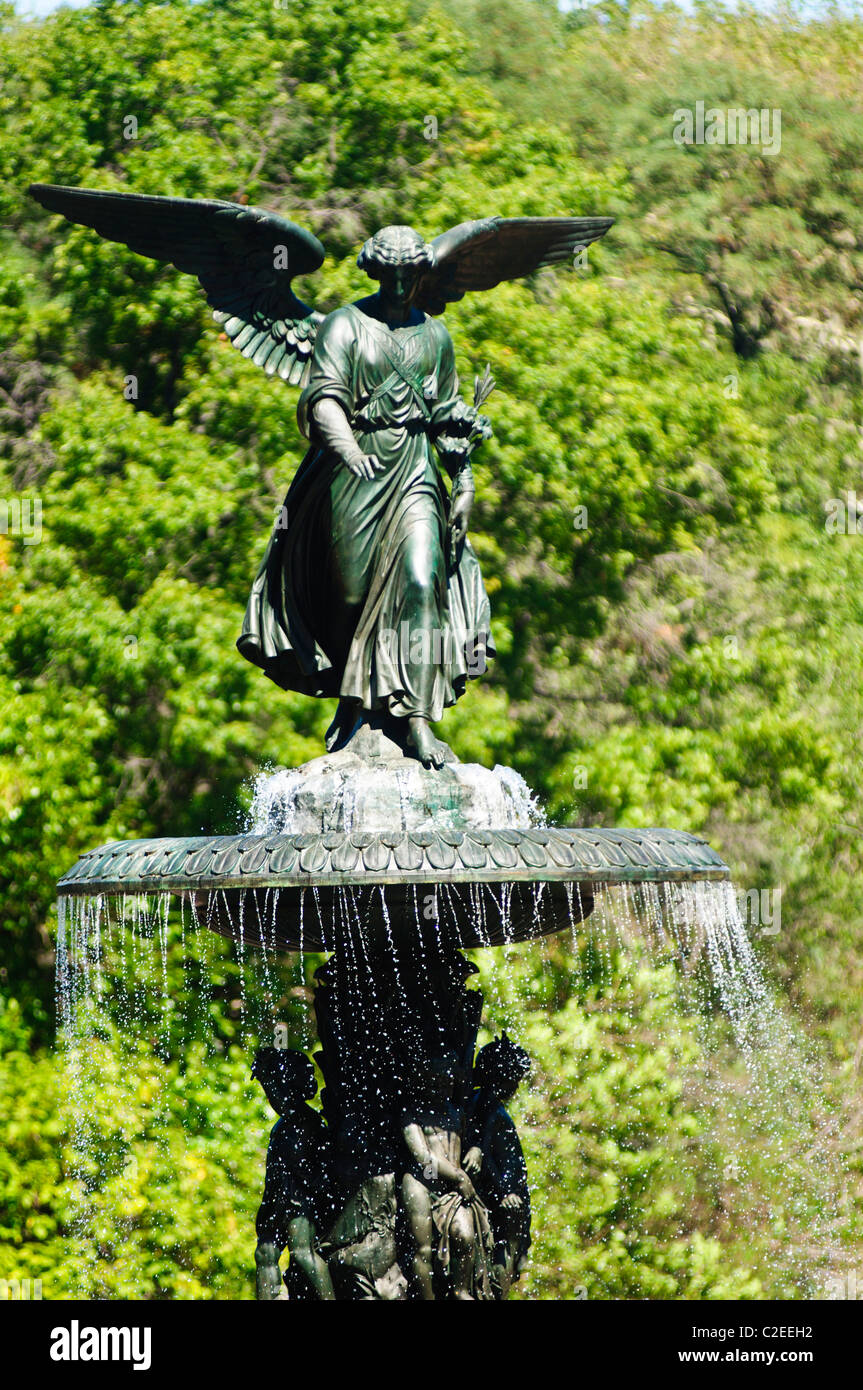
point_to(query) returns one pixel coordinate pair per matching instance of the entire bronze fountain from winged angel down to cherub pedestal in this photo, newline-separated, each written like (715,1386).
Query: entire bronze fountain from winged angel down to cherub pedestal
(386,854)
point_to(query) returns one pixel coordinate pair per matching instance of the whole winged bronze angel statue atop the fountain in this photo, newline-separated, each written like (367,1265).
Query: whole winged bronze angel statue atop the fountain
(370,591)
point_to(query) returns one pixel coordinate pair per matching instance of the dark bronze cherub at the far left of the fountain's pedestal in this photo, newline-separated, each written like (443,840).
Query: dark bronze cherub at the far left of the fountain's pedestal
(298,1192)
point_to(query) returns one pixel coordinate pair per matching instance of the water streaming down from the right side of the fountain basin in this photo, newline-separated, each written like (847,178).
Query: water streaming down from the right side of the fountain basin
(769,1145)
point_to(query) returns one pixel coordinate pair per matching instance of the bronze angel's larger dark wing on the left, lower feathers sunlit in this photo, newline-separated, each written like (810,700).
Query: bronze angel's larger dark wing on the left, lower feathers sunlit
(245,259)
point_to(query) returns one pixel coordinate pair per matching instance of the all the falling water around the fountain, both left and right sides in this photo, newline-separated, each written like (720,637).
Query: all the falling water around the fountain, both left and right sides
(151,1001)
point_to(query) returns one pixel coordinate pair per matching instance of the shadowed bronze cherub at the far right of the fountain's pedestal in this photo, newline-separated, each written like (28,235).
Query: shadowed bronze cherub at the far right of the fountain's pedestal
(495,1160)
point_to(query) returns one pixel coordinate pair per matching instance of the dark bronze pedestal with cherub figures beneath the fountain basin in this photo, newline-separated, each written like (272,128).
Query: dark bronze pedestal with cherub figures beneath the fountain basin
(411,1182)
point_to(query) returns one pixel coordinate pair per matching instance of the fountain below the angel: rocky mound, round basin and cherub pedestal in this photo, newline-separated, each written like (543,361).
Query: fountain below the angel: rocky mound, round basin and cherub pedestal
(394,871)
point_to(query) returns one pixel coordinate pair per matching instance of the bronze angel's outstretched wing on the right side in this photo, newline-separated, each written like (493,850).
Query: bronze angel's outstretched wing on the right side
(482,255)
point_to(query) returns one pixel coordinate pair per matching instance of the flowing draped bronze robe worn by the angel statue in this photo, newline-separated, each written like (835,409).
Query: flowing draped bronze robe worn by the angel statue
(356,596)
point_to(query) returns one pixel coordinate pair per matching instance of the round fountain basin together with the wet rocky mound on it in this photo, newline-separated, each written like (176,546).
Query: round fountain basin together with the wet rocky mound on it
(366,847)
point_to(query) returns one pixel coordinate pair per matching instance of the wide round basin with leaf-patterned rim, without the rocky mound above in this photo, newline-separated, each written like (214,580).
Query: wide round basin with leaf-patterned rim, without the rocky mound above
(309,892)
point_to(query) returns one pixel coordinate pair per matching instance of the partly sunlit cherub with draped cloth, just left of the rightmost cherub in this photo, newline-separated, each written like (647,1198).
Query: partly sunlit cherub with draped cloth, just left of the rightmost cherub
(448,1223)
